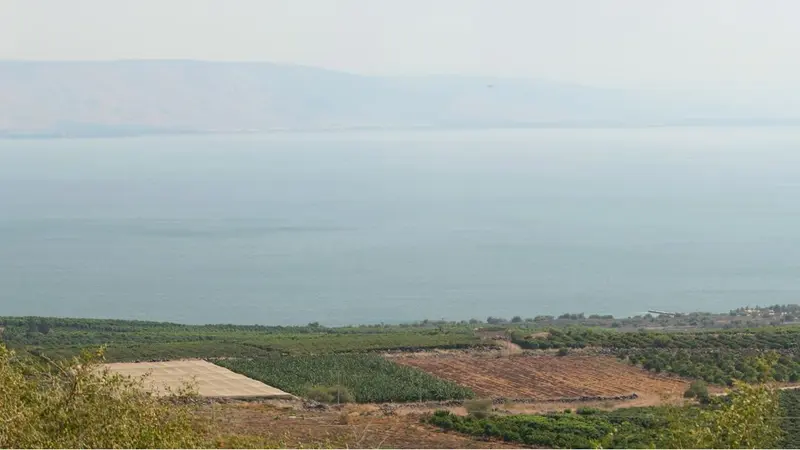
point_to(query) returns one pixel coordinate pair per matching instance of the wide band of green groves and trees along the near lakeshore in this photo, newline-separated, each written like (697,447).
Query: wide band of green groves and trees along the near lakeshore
(716,348)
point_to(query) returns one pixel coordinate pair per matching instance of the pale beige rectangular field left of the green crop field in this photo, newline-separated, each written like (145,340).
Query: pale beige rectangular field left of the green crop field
(210,380)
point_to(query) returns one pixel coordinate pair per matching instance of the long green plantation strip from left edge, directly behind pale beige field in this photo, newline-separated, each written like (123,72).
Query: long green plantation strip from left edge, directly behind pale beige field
(132,340)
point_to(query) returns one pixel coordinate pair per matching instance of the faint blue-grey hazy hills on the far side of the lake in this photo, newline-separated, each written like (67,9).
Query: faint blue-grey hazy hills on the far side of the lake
(108,98)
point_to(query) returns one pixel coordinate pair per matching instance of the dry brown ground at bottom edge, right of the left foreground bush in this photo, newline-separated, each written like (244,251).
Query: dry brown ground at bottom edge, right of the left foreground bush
(352,426)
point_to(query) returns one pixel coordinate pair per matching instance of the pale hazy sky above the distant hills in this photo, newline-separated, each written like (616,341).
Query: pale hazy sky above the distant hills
(668,43)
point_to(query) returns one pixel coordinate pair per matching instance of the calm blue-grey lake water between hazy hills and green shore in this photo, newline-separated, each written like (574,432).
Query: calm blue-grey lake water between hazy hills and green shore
(374,227)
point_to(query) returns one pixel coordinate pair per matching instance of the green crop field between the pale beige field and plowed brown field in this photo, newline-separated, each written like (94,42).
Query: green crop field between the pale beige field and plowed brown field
(369,378)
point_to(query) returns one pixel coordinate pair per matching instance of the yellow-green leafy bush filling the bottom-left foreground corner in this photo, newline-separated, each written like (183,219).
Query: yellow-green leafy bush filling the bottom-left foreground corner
(76,404)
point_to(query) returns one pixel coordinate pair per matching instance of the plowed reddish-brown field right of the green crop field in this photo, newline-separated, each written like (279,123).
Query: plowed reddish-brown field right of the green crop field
(543,378)
